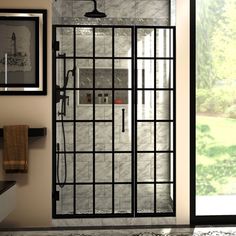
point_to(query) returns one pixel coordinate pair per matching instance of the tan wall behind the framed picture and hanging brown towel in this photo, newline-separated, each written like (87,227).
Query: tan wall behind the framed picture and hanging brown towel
(33,189)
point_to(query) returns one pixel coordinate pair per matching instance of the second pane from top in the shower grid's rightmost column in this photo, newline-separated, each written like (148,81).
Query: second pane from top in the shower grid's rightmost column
(164,74)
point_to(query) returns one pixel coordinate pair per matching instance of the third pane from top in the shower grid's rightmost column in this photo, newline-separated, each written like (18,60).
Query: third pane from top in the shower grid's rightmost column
(163,107)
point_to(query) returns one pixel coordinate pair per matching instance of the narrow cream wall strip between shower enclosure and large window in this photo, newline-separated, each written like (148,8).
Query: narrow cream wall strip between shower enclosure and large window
(182,116)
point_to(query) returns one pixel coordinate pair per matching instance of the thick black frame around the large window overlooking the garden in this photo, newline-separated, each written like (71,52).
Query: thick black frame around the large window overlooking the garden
(197,219)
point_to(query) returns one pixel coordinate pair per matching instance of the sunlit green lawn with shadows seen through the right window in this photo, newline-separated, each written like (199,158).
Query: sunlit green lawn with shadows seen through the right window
(216,156)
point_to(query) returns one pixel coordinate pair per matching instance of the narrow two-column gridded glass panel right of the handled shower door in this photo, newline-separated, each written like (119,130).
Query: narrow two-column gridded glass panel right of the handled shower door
(154,121)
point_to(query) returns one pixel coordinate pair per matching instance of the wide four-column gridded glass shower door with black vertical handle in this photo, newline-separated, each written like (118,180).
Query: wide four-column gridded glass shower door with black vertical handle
(98,122)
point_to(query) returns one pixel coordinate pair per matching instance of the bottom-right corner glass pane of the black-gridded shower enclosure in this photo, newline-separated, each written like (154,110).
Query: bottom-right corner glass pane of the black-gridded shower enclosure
(164,202)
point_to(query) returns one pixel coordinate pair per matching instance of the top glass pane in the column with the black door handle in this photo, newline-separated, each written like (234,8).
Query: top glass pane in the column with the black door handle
(123,40)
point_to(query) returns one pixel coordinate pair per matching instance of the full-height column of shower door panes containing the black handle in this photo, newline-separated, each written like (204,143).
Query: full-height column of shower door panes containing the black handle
(123,120)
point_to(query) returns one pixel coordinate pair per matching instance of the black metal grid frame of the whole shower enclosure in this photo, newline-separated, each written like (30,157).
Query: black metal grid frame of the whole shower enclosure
(134,58)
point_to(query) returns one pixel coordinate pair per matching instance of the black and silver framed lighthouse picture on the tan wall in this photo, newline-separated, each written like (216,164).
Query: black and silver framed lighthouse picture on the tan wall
(23,52)
